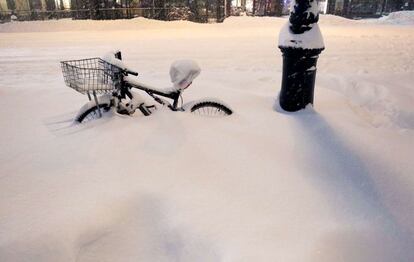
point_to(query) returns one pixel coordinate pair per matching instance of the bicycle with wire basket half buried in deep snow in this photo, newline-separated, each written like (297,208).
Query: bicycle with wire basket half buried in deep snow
(111,79)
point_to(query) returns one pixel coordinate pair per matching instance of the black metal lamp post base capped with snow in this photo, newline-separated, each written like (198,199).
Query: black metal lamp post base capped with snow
(301,42)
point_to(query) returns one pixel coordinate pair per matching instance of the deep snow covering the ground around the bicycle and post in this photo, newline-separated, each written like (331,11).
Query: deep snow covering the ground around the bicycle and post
(333,183)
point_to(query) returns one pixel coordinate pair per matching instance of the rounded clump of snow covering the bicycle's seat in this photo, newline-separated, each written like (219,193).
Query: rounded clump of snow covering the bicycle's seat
(183,72)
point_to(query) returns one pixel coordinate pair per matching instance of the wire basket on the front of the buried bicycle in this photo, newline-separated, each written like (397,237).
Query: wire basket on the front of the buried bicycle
(91,75)
